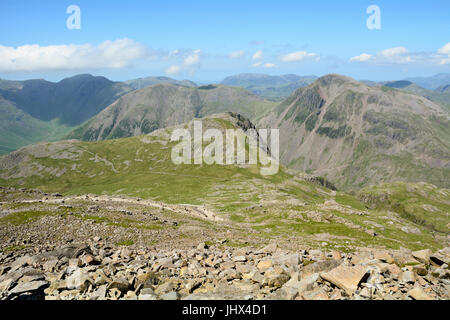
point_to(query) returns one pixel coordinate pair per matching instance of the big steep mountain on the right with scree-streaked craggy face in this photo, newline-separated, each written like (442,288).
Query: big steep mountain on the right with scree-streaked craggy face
(356,135)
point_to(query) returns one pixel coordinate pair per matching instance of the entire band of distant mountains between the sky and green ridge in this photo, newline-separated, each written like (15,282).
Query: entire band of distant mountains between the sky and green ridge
(353,133)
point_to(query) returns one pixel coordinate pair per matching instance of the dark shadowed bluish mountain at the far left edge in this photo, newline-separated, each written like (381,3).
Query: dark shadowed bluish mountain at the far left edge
(39,110)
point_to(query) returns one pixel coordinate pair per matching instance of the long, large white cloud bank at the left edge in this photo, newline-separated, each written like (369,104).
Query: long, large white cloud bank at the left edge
(109,54)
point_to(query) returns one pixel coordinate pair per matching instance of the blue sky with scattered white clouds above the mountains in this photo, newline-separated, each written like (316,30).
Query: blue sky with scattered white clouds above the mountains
(208,40)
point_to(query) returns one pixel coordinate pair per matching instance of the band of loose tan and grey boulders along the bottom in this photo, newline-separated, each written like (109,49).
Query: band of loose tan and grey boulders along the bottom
(211,273)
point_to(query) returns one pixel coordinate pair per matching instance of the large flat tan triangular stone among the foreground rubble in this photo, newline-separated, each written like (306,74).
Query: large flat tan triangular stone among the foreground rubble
(345,277)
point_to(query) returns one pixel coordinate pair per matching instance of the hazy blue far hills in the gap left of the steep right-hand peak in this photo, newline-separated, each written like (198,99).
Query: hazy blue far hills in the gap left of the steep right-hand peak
(277,87)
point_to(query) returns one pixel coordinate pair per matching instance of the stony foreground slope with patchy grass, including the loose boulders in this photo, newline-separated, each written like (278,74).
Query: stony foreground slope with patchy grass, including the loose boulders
(103,247)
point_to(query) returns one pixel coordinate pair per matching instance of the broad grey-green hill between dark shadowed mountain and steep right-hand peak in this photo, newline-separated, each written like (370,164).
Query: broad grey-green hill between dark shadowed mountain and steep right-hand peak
(158,106)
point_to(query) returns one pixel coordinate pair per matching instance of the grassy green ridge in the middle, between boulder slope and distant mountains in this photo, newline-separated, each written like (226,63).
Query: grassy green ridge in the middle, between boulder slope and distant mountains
(288,206)
